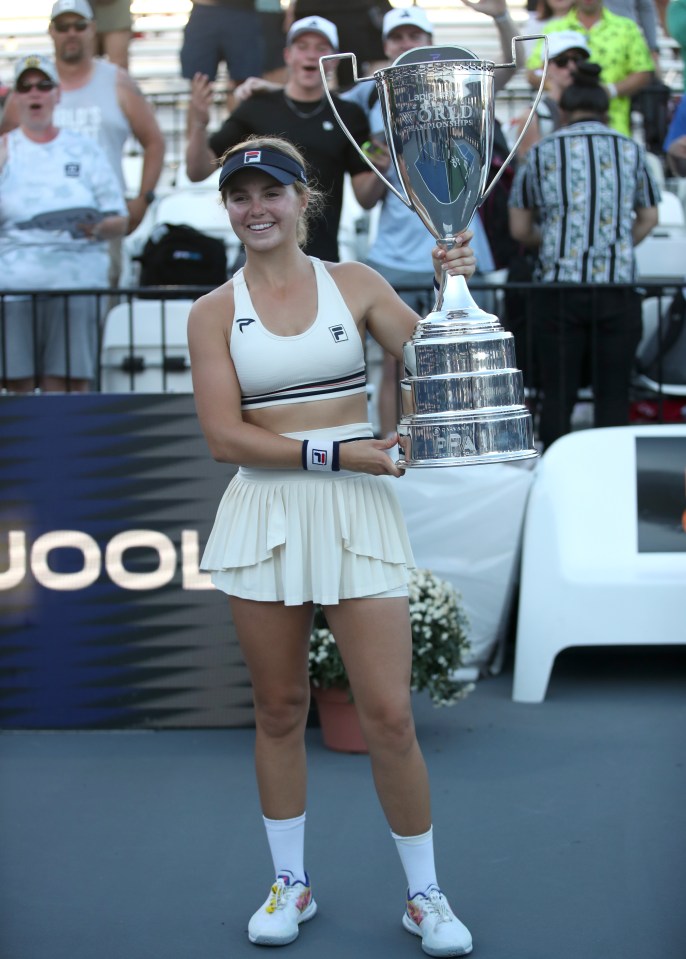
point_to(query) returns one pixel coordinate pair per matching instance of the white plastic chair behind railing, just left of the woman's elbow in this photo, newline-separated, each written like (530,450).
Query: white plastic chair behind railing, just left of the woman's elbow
(145,349)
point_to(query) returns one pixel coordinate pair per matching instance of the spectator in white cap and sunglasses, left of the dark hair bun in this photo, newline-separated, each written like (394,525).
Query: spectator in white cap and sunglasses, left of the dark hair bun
(565,50)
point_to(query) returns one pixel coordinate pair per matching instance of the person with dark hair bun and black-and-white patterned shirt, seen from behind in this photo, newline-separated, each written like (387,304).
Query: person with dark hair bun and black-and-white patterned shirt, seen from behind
(585,197)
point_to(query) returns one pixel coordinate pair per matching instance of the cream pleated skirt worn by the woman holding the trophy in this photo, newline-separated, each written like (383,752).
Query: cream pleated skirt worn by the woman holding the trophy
(295,537)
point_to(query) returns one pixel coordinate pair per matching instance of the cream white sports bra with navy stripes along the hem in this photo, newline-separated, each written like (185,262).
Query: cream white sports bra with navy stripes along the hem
(324,362)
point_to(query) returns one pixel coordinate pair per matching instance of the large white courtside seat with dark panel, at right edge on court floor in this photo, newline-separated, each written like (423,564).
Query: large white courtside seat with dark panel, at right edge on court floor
(586,578)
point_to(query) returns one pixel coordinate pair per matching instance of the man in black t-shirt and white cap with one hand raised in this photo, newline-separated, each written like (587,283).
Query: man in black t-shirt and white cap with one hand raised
(301,113)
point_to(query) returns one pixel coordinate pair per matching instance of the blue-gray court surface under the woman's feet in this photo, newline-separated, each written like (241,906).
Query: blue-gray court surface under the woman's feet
(560,830)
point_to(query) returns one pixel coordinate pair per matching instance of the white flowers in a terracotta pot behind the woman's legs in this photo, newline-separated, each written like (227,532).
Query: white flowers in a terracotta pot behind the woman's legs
(439,641)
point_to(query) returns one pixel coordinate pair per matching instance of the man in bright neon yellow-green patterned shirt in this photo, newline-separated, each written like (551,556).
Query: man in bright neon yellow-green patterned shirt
(617,45)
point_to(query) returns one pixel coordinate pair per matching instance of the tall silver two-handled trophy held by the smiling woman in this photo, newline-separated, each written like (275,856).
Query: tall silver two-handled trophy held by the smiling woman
(462,398)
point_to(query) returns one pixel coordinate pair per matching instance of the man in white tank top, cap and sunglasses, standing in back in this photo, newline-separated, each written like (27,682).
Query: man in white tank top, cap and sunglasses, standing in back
(101,101)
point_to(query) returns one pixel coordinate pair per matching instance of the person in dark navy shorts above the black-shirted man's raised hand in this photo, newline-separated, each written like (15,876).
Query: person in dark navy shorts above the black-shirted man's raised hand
(222,31)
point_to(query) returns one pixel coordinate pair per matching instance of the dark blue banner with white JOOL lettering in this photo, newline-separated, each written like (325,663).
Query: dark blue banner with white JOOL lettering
(106,502)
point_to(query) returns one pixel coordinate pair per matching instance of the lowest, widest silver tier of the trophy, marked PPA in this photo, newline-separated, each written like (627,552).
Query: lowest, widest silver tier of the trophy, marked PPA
(455,439)
